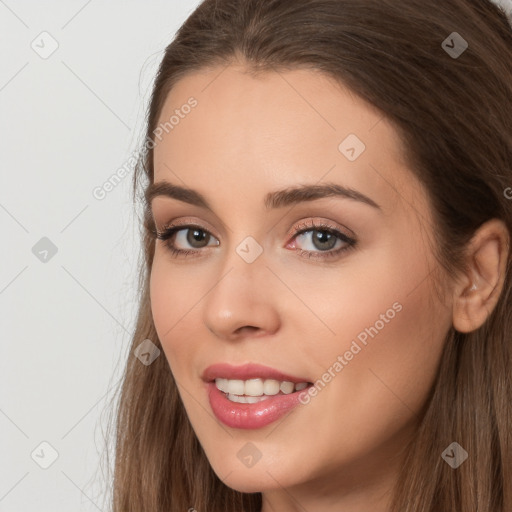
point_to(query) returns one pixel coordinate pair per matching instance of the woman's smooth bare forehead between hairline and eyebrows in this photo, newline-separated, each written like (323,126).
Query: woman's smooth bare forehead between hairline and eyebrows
(275,130)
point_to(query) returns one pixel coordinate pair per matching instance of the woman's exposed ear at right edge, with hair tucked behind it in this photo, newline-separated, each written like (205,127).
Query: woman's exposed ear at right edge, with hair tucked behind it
(477,292)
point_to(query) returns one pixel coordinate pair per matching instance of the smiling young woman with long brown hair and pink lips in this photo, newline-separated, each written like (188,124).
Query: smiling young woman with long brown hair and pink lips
(325,308)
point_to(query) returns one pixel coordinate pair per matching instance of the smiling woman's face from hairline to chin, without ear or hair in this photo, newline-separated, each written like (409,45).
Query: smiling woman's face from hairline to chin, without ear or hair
(358,320)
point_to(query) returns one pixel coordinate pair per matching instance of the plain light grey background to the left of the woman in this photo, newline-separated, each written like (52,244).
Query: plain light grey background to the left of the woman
(68,122)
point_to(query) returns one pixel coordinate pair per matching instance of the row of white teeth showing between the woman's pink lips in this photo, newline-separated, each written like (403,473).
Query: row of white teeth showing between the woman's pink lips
(256,388)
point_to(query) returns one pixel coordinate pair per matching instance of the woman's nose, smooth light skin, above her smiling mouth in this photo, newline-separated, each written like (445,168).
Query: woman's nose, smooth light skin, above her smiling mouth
(241,303)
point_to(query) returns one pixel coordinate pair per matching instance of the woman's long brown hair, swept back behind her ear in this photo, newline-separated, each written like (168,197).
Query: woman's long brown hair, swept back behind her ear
(454,116)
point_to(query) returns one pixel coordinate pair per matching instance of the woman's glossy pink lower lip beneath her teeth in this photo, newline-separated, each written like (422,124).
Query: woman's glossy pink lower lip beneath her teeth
(250,416)
